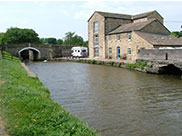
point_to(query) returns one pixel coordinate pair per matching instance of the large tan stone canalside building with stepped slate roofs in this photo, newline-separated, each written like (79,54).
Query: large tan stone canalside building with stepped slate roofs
(120,36)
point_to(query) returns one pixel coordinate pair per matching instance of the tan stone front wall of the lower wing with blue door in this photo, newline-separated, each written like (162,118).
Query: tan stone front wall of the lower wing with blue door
(135,43)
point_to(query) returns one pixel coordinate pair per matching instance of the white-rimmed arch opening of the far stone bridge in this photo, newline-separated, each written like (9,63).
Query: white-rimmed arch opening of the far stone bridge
(29,53)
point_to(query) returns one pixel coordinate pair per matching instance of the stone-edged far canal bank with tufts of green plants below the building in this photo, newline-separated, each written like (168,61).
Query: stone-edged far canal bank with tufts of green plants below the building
(159,67)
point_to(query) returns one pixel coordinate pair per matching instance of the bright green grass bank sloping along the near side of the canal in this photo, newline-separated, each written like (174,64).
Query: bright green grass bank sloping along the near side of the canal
(28,110)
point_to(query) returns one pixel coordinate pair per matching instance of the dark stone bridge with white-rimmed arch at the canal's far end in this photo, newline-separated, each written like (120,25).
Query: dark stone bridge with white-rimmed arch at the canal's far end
(38,51)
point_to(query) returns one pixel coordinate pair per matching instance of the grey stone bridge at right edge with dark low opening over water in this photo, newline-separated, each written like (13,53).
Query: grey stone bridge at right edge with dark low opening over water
(162,61)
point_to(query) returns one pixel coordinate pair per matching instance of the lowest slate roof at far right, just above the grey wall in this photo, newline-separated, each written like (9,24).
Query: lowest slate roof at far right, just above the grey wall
(160,39)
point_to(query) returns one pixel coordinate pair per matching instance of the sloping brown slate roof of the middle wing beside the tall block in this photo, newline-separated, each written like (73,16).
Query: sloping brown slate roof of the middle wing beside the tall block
(131,27)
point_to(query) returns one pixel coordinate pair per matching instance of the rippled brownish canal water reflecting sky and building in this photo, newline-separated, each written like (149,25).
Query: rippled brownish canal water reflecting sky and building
(116,101)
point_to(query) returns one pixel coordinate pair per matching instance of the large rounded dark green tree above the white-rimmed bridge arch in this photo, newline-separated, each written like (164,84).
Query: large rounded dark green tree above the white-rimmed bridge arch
(18,35)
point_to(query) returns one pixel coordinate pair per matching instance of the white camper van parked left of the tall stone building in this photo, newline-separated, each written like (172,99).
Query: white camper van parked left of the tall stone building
(79,51)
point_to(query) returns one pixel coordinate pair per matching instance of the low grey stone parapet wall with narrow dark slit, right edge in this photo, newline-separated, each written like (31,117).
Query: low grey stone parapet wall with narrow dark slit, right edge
(160,54)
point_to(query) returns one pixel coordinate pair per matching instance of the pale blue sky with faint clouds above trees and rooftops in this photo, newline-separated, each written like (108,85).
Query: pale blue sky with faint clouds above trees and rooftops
(55,18)
